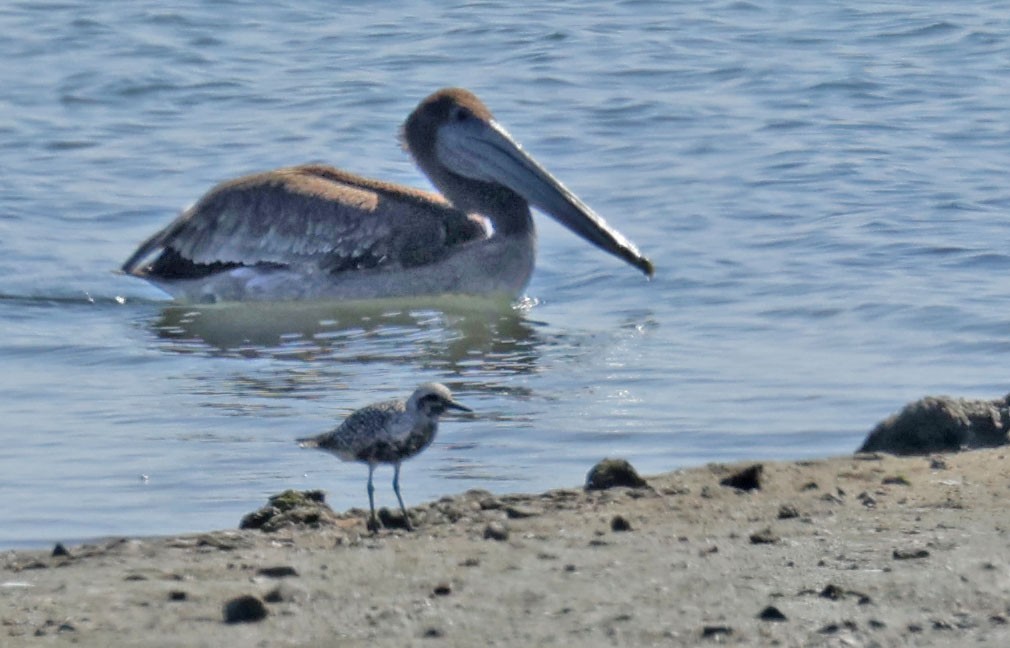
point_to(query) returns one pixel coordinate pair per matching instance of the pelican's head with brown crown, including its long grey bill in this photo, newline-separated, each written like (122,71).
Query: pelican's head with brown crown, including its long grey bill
(461,147)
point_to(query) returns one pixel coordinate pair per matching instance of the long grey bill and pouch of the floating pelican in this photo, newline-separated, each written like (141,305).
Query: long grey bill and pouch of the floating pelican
(485,152)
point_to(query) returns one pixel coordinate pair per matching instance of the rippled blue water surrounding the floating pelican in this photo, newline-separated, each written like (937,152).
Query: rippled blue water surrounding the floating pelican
(823,187)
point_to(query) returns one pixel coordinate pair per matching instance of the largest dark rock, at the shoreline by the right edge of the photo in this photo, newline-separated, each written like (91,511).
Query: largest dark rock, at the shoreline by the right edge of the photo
(942,424)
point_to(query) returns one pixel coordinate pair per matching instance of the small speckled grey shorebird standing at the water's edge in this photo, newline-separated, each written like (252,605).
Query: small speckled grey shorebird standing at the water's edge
(388,433)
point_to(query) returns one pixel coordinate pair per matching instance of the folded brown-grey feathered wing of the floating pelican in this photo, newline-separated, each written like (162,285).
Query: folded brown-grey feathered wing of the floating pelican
(310,215)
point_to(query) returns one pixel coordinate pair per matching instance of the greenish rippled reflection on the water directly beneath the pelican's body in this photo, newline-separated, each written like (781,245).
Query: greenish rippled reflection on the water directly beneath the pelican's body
(440,332)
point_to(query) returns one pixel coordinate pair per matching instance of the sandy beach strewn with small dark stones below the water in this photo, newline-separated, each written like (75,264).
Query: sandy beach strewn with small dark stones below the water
(849,552)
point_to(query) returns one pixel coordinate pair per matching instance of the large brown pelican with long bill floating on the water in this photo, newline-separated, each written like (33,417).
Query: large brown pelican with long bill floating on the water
(318,233)
